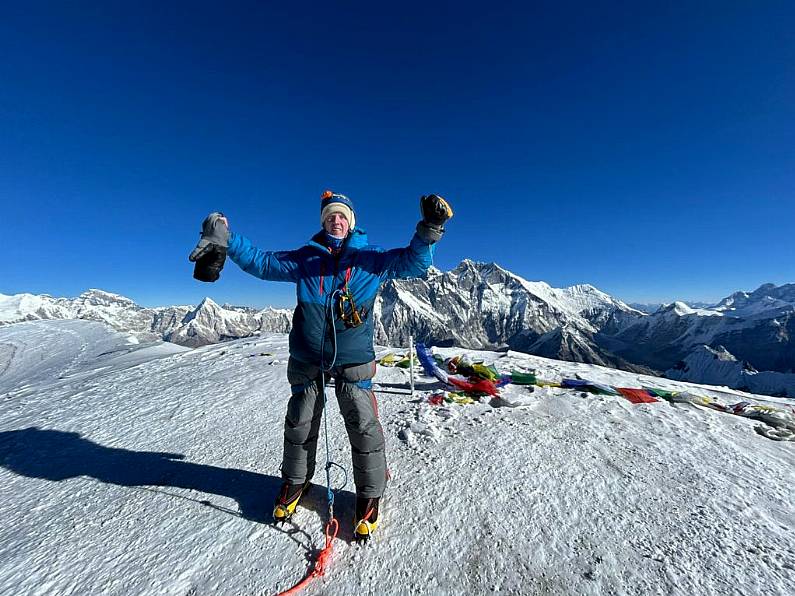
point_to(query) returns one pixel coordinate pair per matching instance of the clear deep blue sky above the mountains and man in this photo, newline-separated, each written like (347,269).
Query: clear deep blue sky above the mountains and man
(646,148)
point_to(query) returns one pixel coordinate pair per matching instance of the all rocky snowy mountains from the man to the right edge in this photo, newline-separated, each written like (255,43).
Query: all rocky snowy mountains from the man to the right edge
(481,305)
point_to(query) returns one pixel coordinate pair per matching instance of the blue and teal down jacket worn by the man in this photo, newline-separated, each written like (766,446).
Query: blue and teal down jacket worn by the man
(317,274)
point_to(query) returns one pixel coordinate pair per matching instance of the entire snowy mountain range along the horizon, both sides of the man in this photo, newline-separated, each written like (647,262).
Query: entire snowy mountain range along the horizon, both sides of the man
(483,306)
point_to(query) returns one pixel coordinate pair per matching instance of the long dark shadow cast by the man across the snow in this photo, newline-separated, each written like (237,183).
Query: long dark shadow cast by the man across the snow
(57,455)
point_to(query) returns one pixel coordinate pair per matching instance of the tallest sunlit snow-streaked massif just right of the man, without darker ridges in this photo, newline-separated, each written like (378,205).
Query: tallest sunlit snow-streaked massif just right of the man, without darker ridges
(483,306)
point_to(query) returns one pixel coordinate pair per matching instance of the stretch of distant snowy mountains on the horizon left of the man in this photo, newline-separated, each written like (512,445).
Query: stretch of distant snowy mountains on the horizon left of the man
(184,325)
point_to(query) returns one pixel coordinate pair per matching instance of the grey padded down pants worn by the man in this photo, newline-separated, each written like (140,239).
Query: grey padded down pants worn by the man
(357,403)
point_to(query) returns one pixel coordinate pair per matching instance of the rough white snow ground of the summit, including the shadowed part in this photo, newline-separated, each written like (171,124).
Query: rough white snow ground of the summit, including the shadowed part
(128,470)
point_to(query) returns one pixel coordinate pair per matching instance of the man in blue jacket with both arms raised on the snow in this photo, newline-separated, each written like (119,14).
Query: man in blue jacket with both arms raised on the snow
(337,276)
